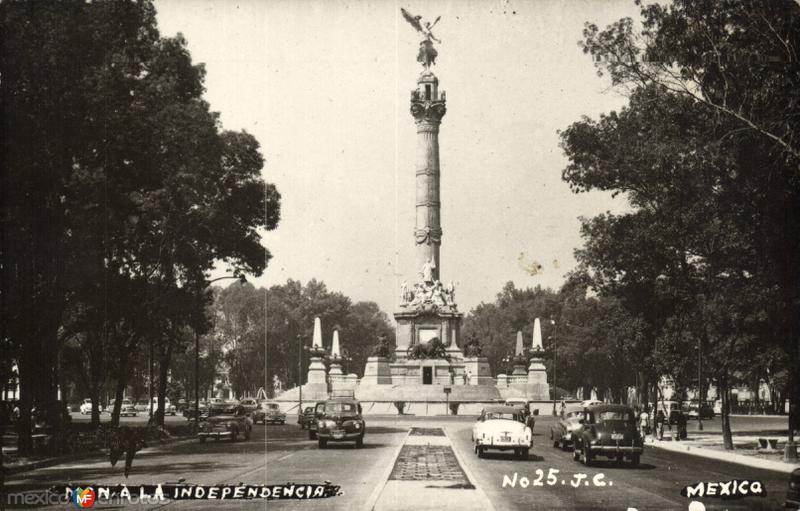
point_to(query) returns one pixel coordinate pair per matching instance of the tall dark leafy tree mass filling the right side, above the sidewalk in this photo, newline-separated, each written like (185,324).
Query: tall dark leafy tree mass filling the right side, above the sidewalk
(706,159)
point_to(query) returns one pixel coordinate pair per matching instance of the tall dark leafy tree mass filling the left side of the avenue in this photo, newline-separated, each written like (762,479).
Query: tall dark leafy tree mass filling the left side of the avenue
(121,191)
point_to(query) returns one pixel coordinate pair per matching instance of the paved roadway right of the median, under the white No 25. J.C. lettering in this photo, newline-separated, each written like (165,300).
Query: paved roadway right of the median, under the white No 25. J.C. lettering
(656,484)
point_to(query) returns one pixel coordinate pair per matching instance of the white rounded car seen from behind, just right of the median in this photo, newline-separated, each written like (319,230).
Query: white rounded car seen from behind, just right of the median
(503,428)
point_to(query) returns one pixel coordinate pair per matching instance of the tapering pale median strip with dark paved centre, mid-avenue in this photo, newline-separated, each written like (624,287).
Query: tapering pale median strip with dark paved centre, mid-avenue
(427,474)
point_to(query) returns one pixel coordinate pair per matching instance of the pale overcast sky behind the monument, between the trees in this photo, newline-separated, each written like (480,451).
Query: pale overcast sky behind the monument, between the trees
(324,86)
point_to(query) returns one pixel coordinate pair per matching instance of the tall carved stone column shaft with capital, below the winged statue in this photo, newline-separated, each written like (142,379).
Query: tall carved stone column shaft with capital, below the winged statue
(428,108)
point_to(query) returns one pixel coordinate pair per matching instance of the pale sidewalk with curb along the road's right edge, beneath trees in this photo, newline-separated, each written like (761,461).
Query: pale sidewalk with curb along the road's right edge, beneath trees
(746,453)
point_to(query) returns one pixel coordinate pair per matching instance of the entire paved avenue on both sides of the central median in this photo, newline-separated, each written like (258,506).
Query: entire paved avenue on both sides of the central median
(281,454)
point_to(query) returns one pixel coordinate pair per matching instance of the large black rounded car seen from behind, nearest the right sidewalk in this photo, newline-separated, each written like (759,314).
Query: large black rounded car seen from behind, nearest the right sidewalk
(608,430)
